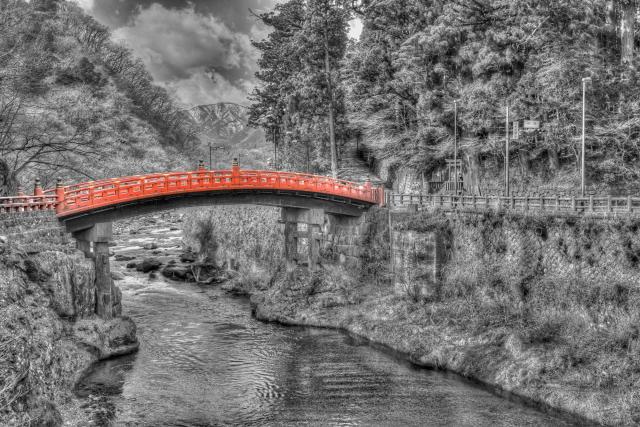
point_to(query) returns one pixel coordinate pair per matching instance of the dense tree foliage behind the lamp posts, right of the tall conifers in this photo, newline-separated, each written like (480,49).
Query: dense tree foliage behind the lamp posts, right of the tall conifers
(415,58)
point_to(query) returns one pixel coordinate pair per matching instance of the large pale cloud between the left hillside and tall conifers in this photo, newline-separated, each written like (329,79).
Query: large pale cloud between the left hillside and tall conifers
(179,46)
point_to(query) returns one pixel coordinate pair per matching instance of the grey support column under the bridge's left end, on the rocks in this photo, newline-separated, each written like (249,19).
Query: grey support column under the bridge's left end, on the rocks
(100,235)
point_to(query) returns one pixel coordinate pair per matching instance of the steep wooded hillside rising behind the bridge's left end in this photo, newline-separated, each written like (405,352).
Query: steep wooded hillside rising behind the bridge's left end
(75,105)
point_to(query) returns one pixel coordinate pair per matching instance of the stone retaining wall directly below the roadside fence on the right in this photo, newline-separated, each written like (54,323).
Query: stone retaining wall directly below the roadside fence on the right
(585,264)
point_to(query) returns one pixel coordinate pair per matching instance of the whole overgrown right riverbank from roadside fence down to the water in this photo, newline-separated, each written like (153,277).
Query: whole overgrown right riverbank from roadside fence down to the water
(507,330)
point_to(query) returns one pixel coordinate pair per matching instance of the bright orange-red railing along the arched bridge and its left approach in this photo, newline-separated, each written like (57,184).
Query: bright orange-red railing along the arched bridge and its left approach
(86,196)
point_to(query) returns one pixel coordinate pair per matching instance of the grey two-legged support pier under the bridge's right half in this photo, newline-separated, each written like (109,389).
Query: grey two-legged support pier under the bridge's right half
(314,219)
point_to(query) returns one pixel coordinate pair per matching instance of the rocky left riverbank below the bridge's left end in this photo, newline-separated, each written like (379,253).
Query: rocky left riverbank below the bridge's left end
(49,334)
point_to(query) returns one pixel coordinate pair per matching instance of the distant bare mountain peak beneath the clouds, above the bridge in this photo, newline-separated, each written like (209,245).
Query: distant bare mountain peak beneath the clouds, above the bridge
(224,127)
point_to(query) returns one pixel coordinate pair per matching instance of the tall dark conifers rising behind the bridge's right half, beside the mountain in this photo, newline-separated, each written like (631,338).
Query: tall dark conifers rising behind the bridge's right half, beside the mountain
(299,94)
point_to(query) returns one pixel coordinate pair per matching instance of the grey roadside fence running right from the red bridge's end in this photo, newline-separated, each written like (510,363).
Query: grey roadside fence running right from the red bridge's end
(595,205)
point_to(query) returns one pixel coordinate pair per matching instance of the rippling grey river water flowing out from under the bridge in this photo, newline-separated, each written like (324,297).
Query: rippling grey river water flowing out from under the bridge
(204,361)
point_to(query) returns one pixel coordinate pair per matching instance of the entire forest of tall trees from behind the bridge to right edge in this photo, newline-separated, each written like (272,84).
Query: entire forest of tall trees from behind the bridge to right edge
(395,88)
